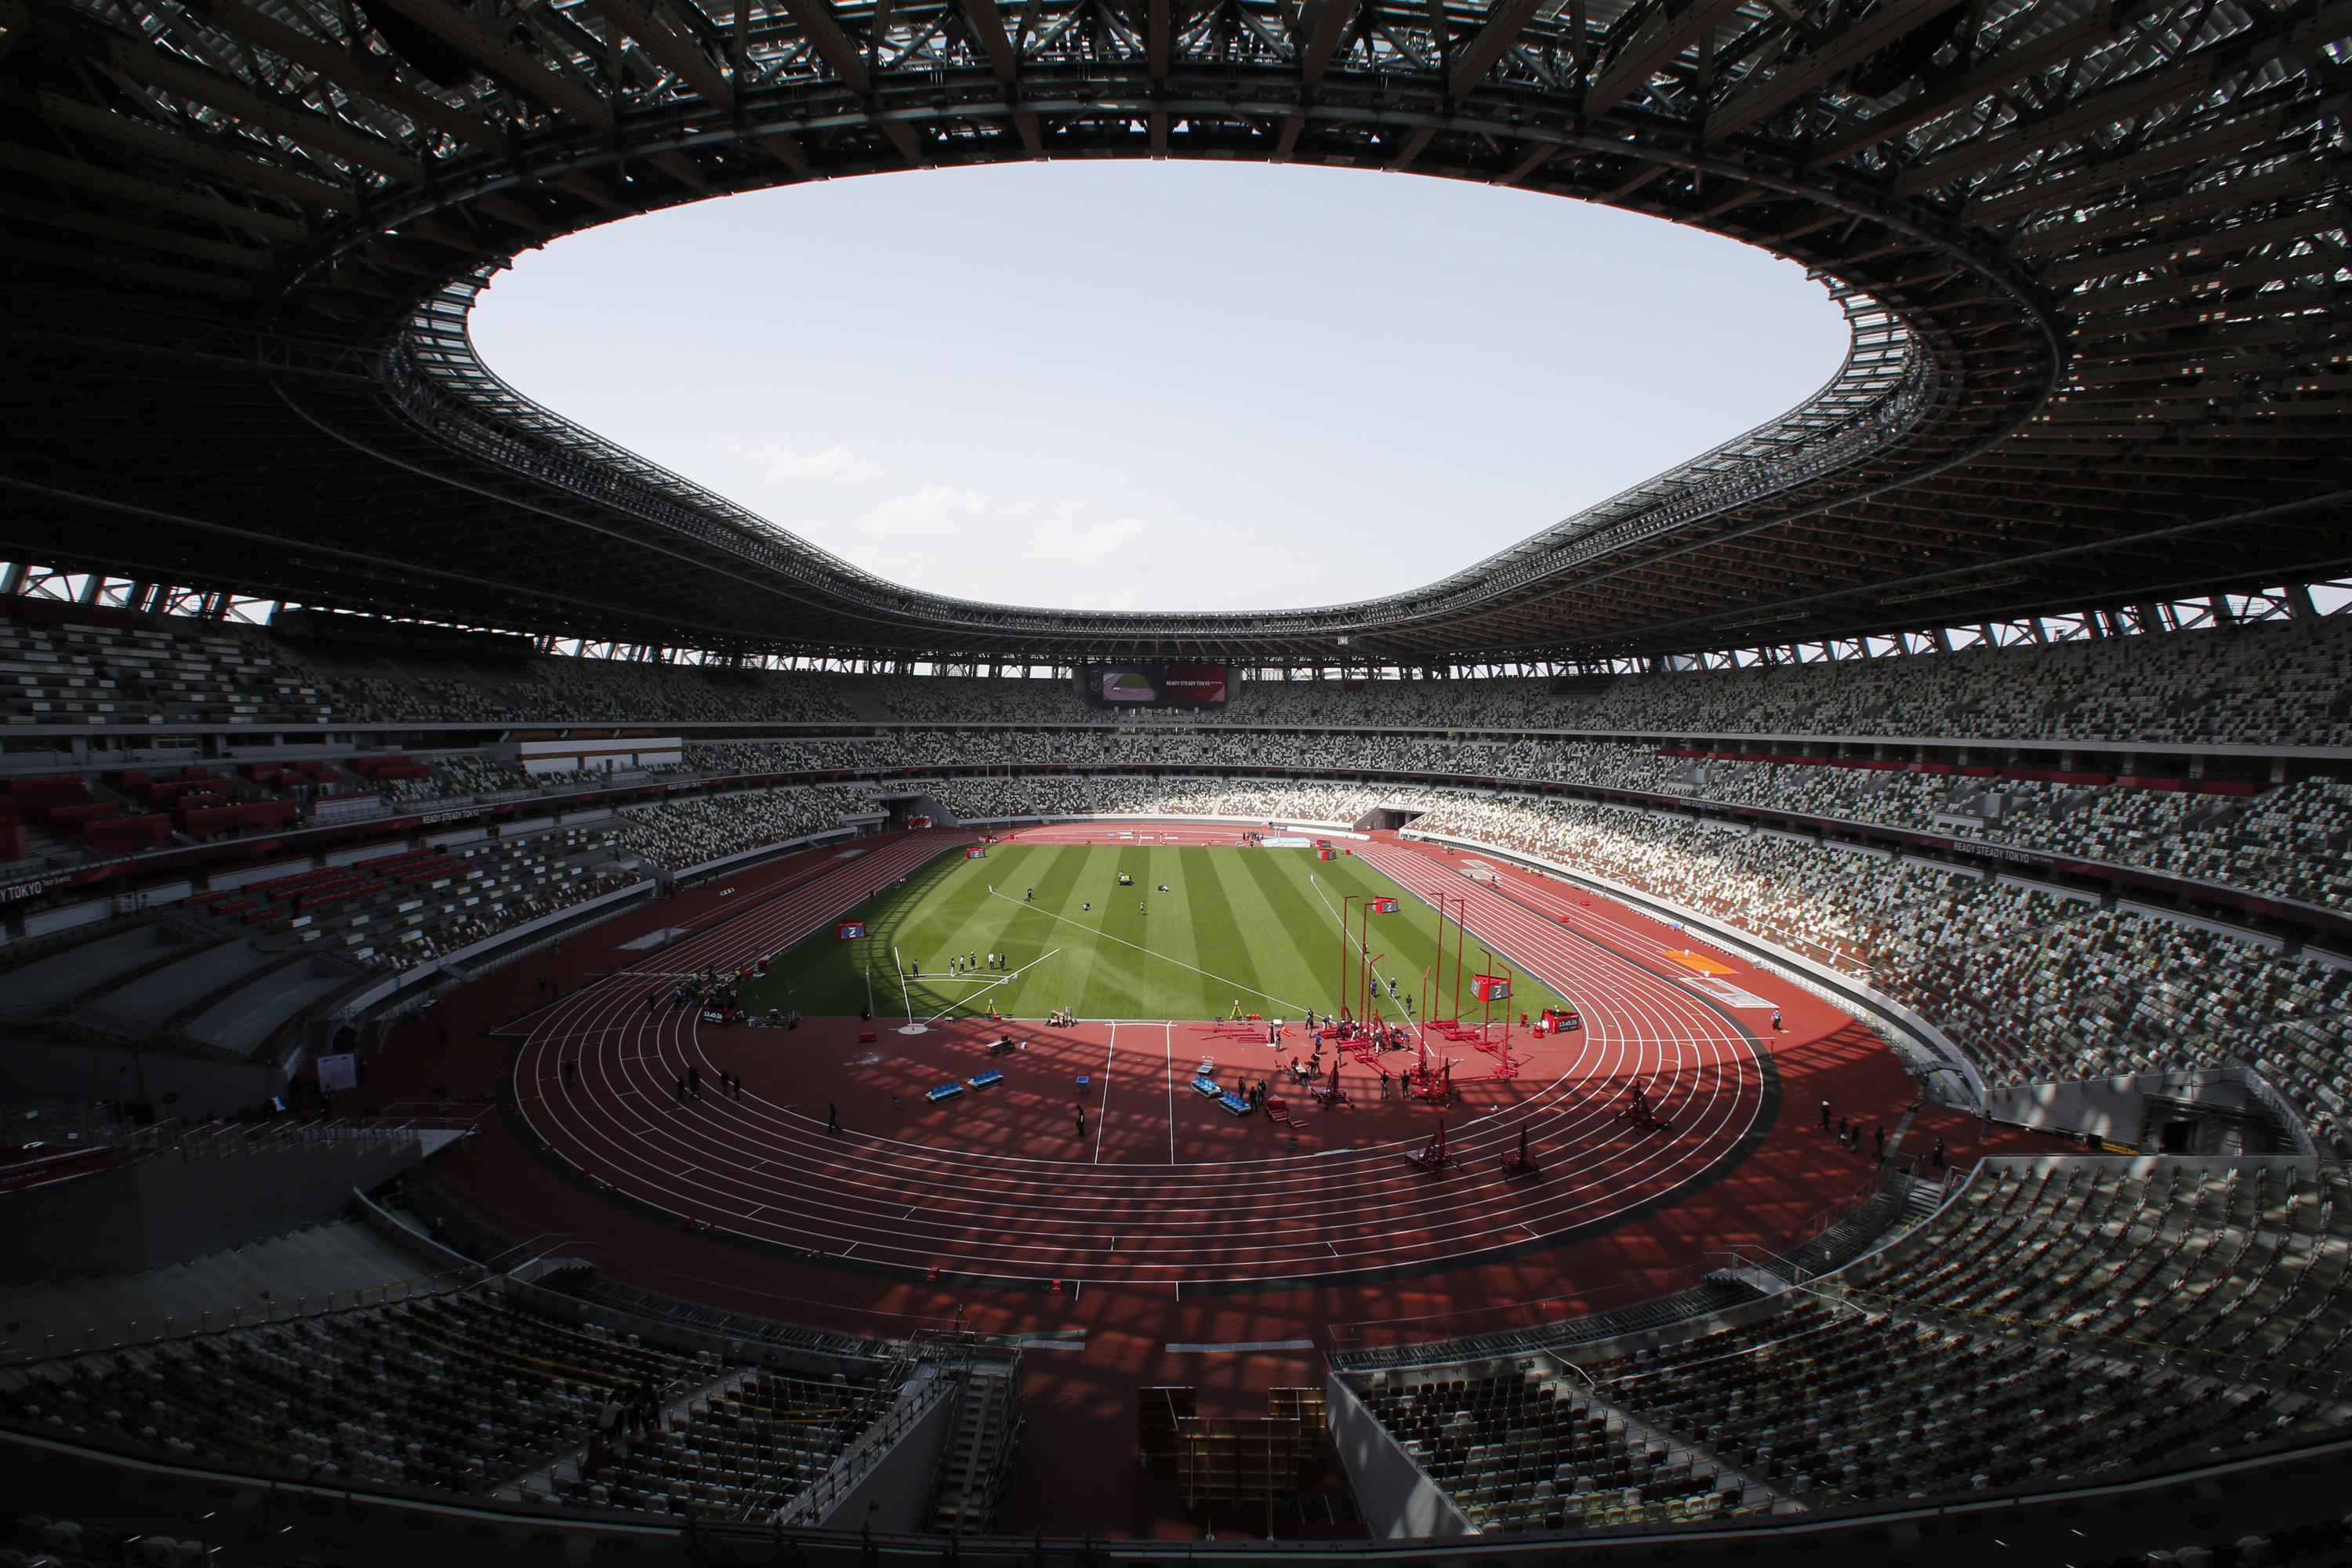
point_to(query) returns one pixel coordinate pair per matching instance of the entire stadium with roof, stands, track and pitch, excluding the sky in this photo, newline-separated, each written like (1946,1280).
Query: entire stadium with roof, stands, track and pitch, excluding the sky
(1796,1012)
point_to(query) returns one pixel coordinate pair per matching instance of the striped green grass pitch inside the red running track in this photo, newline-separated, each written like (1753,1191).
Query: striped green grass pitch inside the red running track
(1259,927)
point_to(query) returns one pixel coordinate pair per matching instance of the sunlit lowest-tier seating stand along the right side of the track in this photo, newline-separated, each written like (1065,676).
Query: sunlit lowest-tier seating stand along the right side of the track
(2031,984)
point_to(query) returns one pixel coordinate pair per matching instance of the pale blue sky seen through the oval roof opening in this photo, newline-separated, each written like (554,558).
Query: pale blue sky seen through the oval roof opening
(1161,384)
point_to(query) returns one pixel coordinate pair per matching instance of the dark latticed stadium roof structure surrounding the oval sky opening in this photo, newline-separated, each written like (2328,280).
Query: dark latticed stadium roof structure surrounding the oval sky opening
(2092,255)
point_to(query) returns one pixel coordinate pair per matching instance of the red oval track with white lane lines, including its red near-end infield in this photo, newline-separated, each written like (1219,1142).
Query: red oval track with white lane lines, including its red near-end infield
(1156,1186)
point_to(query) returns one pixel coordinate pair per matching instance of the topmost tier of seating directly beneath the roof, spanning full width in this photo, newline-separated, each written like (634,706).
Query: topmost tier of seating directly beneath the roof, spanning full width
(2266,683)
